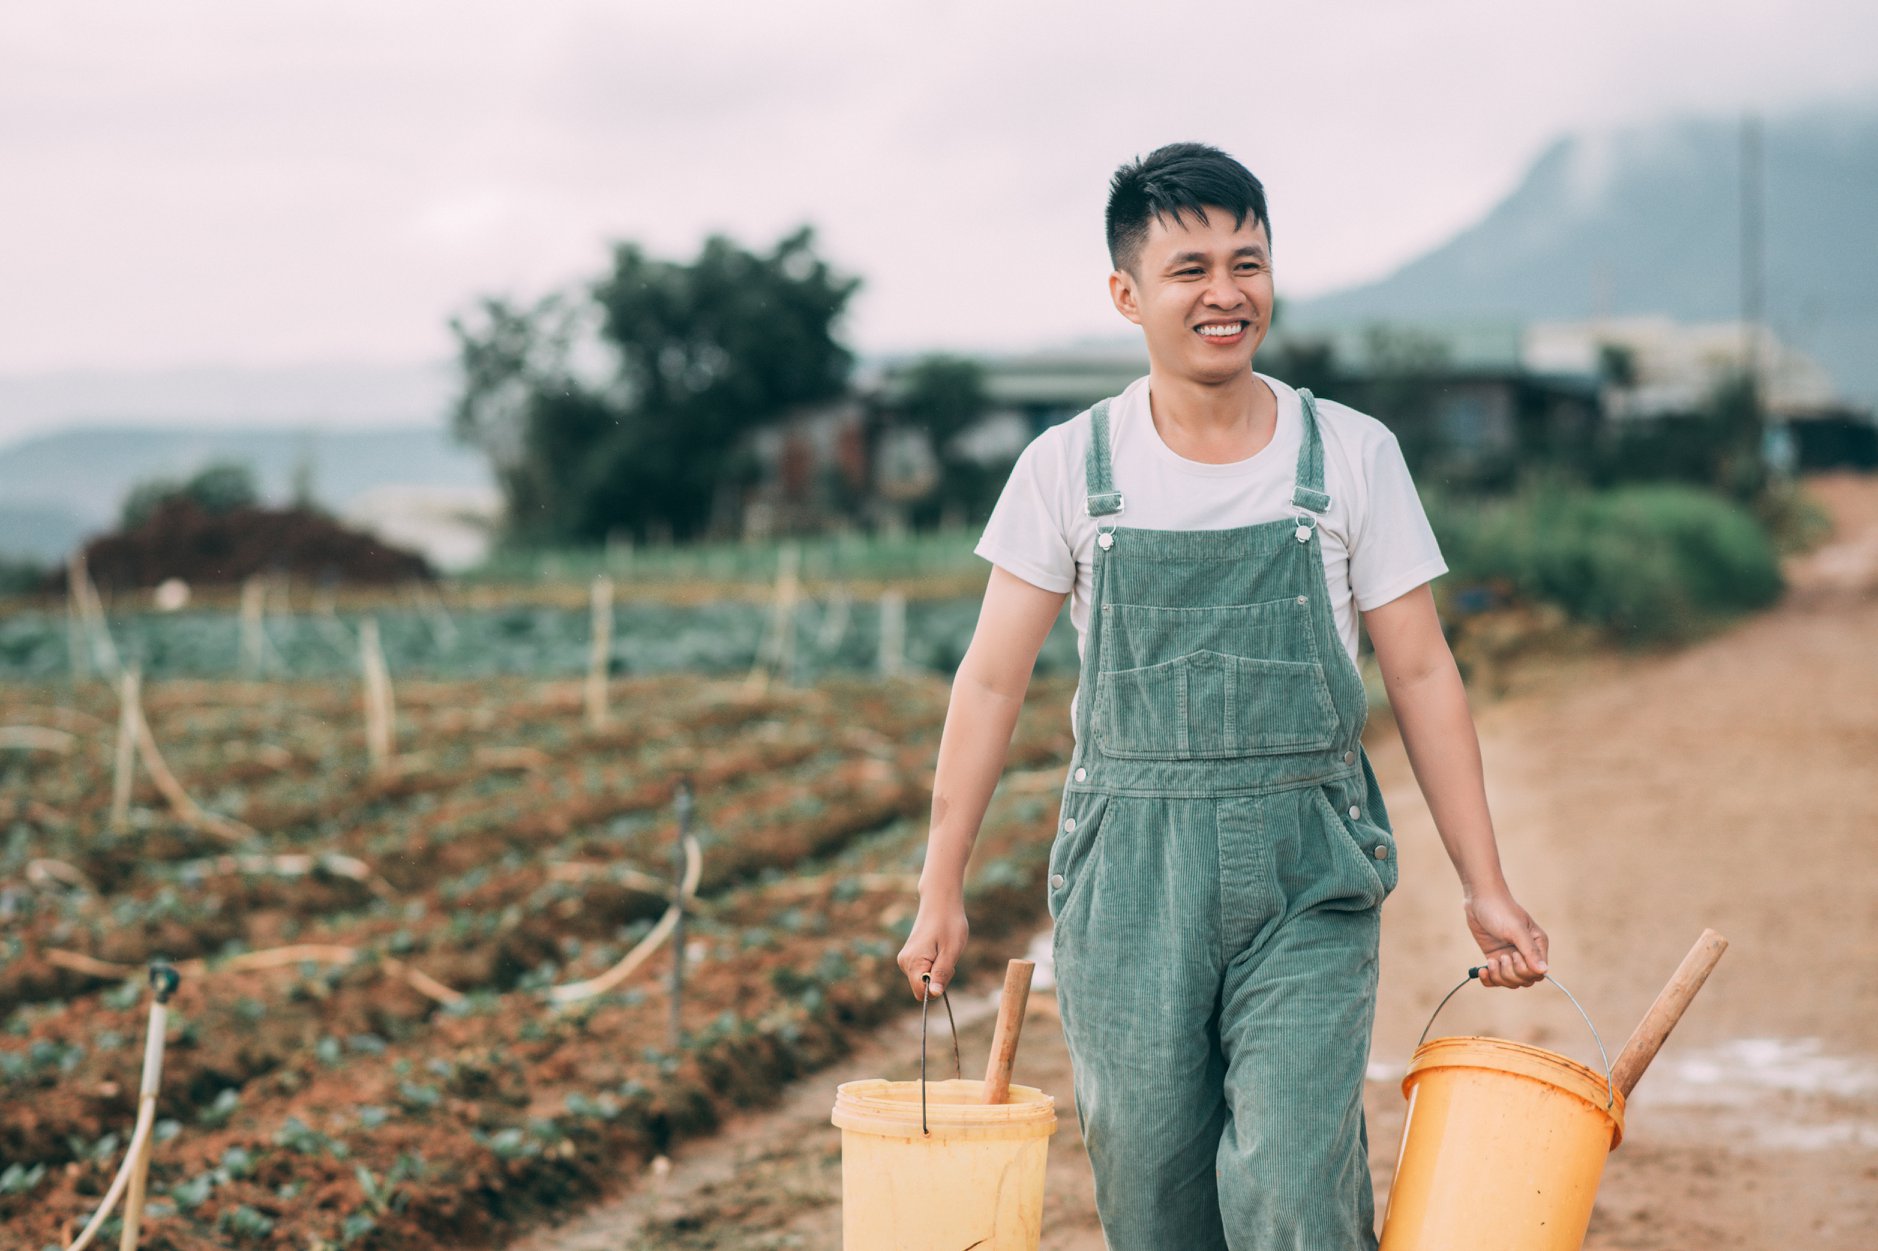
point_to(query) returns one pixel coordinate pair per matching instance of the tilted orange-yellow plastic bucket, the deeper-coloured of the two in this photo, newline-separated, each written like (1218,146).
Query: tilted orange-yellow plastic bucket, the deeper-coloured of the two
(1503,1149)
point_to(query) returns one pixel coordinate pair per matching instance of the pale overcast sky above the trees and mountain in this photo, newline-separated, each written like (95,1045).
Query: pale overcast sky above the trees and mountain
(328,181)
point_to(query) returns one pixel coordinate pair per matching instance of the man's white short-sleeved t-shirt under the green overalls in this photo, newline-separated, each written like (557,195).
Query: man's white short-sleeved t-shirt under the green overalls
(1376,538)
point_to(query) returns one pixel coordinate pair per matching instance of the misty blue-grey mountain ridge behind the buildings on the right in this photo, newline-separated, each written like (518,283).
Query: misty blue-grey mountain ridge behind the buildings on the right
(1648,221)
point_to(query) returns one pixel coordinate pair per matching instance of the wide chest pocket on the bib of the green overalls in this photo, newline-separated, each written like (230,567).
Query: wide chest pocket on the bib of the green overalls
(1210,683)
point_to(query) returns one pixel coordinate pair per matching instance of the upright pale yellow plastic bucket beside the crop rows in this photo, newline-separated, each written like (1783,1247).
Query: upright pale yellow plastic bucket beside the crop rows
(977,1181)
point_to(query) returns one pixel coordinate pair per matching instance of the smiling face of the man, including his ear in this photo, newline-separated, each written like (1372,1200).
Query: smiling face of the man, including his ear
(1201,294)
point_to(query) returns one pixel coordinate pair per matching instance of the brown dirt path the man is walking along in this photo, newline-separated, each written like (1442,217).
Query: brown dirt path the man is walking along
(1637,801)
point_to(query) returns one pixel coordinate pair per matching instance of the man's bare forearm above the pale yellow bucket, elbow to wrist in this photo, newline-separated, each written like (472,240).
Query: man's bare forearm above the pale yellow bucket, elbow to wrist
(972,756)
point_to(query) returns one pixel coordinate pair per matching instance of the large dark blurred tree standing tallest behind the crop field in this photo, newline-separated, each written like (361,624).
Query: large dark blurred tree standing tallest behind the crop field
(626,409)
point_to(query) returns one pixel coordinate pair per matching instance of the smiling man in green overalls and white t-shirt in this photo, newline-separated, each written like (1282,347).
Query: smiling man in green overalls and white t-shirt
(1224,852)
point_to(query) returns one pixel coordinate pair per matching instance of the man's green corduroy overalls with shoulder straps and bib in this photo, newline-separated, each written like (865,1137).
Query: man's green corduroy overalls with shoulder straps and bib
(1216,882)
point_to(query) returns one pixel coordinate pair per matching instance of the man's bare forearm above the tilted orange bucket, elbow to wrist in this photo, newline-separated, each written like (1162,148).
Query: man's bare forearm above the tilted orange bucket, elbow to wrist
(1445,752)
